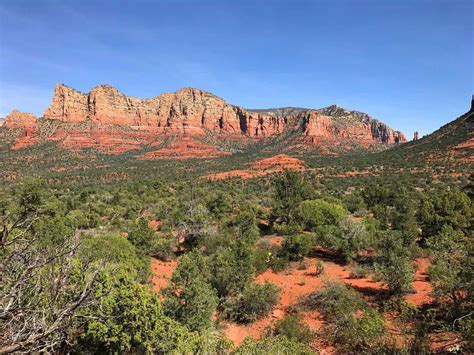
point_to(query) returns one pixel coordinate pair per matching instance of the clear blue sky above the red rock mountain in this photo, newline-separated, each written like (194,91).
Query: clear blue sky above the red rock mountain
(408,63)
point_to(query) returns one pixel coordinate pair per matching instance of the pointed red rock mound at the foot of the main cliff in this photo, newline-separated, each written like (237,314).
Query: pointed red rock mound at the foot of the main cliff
(184,148)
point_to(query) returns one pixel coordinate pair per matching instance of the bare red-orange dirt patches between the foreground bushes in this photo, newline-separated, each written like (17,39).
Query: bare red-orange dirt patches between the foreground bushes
(295,283)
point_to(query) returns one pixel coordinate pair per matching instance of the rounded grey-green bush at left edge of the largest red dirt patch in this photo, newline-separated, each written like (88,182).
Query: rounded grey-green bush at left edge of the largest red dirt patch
(253,303)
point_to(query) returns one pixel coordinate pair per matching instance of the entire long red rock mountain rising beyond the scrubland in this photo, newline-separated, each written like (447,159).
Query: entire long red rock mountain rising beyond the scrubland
(108,120)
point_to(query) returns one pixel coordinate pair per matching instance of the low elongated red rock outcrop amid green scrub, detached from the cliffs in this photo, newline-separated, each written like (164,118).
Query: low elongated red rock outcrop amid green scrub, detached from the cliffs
(268,166)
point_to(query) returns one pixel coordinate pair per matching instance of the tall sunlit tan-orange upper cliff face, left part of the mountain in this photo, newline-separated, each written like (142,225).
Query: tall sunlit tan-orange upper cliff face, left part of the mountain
(186,111)
